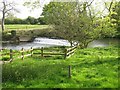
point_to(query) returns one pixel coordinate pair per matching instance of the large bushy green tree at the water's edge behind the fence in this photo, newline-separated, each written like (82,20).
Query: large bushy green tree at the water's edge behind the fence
(70,20)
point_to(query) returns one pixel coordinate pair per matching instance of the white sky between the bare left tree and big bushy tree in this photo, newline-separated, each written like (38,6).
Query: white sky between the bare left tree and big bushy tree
(25,11)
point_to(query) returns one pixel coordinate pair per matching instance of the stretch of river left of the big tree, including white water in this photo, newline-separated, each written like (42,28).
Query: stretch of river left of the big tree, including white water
(38,43)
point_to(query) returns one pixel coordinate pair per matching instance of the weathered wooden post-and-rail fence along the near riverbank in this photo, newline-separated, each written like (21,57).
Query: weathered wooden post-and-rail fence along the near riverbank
(43,52)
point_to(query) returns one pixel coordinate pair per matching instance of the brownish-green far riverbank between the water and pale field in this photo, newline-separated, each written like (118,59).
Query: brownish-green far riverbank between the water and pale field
(29,34)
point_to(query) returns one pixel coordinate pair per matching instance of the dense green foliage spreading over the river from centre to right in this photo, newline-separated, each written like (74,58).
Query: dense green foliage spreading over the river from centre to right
(76,22)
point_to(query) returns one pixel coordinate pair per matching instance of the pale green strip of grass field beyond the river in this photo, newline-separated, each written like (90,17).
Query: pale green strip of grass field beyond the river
(24,27)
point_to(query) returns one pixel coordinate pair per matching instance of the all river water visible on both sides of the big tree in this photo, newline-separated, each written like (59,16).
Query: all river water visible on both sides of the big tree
(46,42)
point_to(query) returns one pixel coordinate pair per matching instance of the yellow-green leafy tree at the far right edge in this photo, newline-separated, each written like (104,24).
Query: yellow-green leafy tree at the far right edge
(113,16)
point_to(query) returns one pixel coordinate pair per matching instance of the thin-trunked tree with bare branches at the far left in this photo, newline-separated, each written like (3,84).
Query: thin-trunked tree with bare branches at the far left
(6,8)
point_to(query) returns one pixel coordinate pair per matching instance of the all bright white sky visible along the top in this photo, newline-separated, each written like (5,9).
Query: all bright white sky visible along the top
(25,11)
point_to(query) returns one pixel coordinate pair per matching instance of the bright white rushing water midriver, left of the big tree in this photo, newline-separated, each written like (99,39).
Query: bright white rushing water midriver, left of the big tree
(58,42)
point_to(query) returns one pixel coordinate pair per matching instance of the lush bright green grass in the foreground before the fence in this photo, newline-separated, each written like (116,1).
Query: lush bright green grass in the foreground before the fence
(91,68)
